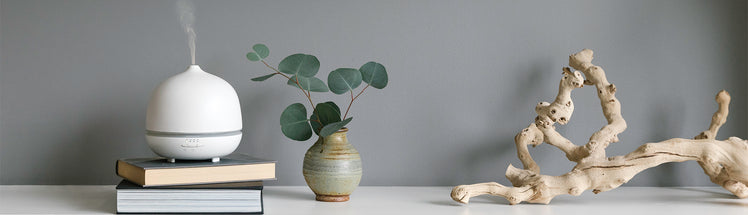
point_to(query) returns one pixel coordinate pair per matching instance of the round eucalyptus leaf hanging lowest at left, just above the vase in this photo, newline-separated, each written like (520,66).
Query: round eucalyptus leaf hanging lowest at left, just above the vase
(294,122)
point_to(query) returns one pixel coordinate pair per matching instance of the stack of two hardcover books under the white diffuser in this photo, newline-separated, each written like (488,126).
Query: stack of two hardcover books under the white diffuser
(153,185)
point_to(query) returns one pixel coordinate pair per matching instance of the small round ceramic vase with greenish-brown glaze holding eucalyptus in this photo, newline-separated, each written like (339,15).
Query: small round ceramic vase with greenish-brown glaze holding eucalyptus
(332,168)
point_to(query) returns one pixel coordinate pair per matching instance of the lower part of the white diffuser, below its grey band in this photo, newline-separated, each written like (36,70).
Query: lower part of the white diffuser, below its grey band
(194,146)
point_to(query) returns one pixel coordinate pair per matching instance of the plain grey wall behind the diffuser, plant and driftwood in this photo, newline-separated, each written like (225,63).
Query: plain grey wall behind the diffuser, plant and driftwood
(464,78)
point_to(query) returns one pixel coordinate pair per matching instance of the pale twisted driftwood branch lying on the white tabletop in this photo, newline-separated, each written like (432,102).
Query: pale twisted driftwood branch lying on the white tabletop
(725,161)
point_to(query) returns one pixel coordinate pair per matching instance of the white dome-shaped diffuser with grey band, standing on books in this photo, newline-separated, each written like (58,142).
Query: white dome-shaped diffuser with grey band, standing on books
(193,116)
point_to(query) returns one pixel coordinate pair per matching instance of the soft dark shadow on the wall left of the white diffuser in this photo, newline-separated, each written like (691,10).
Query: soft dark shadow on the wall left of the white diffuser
(89,156)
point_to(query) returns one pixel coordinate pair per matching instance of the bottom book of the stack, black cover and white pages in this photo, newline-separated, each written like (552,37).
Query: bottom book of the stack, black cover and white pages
(237,197)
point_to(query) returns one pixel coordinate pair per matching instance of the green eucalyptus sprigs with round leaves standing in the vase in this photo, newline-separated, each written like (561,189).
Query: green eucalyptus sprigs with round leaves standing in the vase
(300,70)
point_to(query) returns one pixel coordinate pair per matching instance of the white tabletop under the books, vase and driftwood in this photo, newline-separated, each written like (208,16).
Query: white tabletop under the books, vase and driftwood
(400,200)
